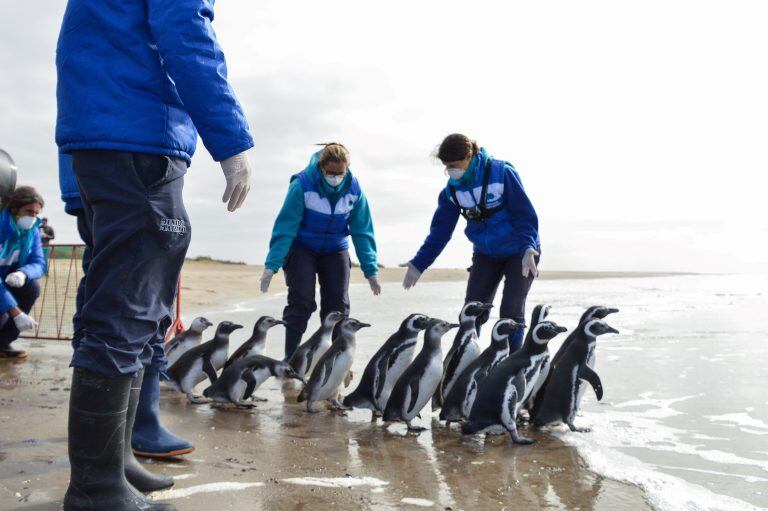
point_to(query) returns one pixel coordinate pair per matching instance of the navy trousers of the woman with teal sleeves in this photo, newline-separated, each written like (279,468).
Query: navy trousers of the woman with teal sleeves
(303,269)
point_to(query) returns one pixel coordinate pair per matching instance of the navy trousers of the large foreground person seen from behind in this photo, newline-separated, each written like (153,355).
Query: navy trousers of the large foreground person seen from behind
(136,232)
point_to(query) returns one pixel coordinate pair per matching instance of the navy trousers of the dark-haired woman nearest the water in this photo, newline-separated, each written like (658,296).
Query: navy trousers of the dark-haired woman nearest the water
(484,278)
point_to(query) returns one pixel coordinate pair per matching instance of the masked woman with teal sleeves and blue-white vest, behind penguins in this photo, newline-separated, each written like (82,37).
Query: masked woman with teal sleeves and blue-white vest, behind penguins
(324,206)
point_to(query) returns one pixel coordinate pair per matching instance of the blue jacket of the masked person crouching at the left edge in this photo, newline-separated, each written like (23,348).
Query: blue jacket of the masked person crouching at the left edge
(18,251)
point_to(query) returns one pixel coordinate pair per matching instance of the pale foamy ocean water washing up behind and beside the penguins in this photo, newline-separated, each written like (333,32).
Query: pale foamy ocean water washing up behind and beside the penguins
(685,410)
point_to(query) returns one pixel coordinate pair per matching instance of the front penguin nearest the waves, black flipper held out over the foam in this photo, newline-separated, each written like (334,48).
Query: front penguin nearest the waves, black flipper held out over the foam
(559,398)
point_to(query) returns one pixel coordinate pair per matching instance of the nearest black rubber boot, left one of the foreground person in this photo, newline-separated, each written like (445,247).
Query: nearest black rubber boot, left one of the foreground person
(97,412)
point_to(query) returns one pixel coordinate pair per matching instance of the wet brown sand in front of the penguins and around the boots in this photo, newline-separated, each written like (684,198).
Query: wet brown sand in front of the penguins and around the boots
(254,454)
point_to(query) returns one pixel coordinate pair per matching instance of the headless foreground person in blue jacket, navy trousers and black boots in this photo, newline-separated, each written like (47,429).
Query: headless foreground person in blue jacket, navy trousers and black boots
(138,81)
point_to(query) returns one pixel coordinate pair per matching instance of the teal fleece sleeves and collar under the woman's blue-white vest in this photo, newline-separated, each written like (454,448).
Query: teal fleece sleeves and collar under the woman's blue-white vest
(292,213)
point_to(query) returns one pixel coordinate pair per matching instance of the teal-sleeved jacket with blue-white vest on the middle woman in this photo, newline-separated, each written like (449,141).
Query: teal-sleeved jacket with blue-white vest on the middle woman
(320,218)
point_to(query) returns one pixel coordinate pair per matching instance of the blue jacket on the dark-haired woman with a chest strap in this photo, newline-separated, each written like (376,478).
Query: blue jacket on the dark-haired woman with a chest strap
(509,232)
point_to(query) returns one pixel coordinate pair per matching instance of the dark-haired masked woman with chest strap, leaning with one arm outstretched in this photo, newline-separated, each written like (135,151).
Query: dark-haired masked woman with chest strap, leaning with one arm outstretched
(501,224)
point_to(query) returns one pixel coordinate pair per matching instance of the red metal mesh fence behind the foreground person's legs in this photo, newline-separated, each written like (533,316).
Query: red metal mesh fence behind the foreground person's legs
(58,288)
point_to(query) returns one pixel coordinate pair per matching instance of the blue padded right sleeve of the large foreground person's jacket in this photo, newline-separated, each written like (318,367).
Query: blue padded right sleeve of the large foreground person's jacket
(195,62)
